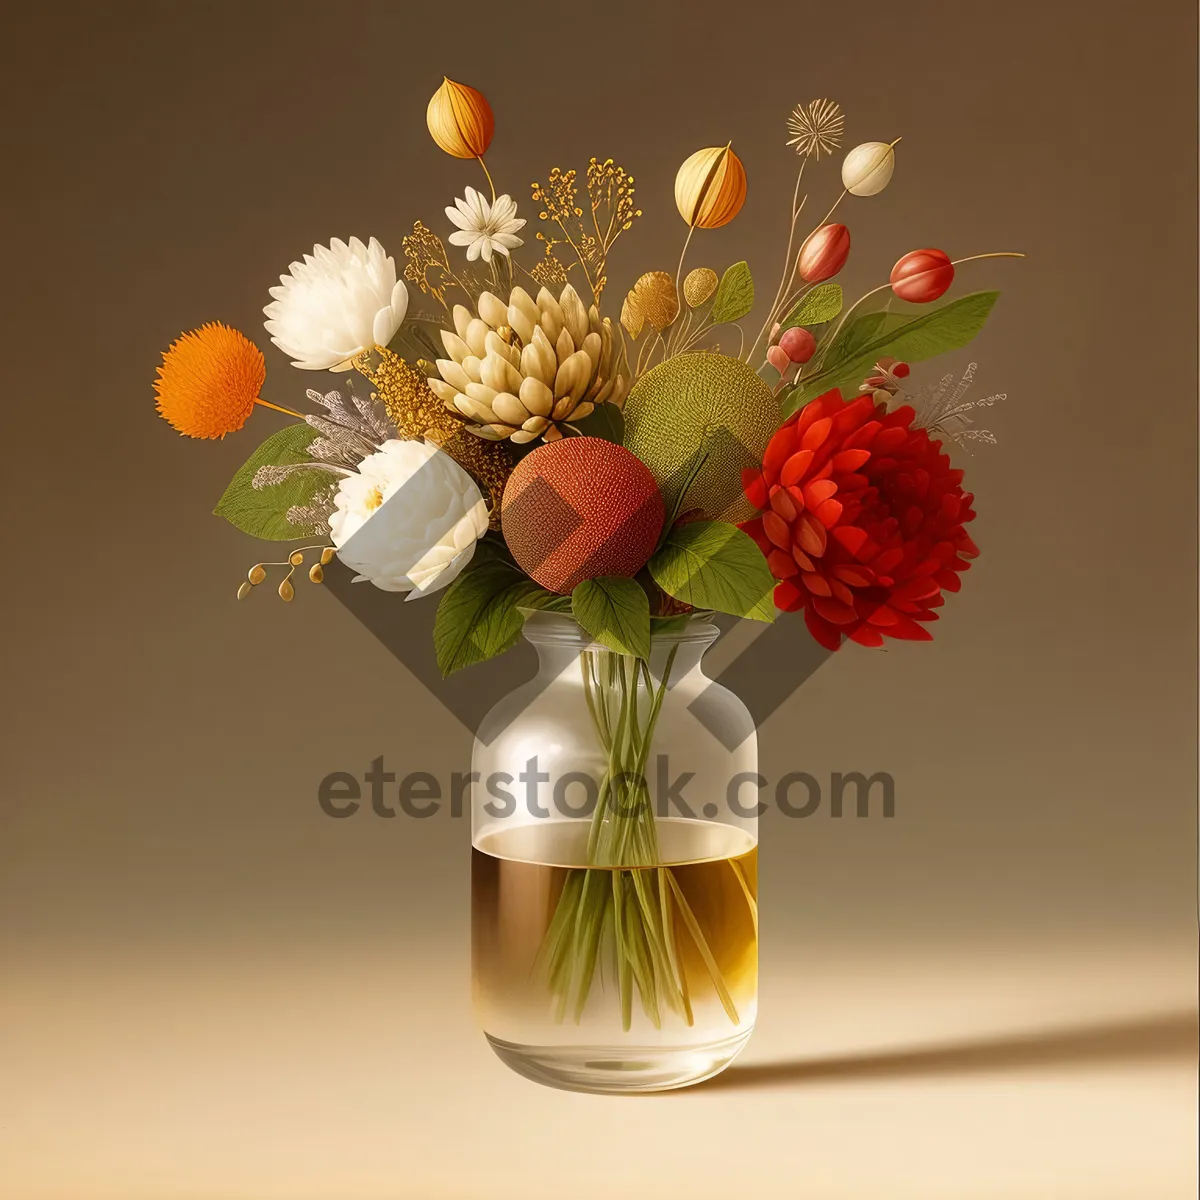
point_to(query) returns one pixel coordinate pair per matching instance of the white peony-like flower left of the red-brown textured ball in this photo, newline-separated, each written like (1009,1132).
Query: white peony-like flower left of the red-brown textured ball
(409,521)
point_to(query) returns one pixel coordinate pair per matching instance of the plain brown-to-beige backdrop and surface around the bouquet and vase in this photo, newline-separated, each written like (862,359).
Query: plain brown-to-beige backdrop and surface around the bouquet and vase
(209,989)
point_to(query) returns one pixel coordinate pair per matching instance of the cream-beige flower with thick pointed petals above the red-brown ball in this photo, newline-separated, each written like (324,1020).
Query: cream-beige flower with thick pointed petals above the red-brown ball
(524,370)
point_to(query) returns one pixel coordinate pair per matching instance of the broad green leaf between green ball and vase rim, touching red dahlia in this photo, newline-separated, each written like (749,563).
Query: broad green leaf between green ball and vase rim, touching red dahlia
(711,565)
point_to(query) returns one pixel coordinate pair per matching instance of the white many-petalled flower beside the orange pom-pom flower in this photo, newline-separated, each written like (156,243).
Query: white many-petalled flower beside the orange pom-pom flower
(341,301)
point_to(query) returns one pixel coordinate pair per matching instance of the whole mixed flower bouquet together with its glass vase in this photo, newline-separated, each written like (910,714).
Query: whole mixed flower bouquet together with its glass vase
(605,481)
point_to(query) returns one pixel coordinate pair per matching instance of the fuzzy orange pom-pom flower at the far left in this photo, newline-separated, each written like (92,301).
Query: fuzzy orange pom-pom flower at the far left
(209,382)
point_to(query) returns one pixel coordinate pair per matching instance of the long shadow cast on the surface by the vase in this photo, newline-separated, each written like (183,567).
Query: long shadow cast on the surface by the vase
(1155,1037)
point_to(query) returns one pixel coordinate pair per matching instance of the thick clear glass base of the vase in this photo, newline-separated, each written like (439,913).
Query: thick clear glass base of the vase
(620,1070)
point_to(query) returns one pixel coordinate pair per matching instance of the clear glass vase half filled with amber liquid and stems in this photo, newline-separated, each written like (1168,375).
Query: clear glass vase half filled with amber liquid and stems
(615,920)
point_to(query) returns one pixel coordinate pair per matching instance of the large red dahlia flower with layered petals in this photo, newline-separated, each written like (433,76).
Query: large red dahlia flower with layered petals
(862,521)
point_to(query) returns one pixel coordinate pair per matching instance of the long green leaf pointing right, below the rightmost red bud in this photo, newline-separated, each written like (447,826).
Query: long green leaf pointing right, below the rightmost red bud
(863,343)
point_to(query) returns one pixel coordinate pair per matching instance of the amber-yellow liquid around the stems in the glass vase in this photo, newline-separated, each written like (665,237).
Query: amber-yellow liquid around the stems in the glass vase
(518,880)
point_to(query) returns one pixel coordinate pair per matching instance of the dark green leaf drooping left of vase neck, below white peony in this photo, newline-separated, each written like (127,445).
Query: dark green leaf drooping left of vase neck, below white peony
(478,616)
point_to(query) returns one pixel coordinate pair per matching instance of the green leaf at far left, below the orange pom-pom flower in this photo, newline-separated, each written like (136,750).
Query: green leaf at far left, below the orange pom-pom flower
(263,512)
